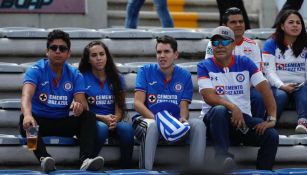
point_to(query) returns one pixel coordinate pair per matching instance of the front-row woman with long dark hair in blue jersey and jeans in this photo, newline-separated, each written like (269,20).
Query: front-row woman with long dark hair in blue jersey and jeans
(106,97)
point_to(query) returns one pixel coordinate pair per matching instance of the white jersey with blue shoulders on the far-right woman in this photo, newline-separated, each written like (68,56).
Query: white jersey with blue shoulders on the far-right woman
(283,68)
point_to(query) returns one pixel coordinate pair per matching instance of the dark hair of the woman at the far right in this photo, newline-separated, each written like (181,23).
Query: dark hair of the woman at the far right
(279,34)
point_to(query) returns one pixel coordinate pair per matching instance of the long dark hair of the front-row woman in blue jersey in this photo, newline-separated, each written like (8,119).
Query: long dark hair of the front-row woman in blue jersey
(112,73)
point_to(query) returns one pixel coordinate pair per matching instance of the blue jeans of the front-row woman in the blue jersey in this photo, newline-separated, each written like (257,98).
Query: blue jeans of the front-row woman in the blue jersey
(125,133)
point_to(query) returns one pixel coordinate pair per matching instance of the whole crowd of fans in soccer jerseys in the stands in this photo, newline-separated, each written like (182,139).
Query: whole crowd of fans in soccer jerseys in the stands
(244,90)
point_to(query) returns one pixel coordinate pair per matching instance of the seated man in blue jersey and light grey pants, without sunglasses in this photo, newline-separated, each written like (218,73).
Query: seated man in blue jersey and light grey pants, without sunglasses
(165,82)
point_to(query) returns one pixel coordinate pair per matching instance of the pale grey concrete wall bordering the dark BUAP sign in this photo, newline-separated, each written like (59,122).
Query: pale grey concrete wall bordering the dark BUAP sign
(96,18)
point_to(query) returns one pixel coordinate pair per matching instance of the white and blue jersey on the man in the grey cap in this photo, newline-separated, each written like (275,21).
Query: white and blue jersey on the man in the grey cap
(231,83)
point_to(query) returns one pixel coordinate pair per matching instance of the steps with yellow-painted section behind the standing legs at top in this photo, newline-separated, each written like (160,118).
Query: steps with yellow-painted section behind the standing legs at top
(185,13)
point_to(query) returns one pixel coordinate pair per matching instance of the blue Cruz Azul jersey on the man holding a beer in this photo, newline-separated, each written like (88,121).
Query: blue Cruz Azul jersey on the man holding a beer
(49,100)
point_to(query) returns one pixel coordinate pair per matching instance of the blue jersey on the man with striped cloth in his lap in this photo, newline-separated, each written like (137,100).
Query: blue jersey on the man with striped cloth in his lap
(151,80)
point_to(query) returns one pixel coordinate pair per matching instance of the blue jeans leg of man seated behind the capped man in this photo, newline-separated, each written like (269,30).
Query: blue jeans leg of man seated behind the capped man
(257,104)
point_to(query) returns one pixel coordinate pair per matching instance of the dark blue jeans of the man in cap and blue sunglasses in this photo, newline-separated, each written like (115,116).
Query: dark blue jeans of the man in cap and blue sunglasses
(222,133)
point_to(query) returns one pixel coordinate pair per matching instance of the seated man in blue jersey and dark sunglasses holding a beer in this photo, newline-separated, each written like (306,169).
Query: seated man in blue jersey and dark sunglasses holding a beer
(49,88)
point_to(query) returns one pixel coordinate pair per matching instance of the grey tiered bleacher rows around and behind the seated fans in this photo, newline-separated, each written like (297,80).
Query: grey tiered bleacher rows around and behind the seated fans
(132,49)
